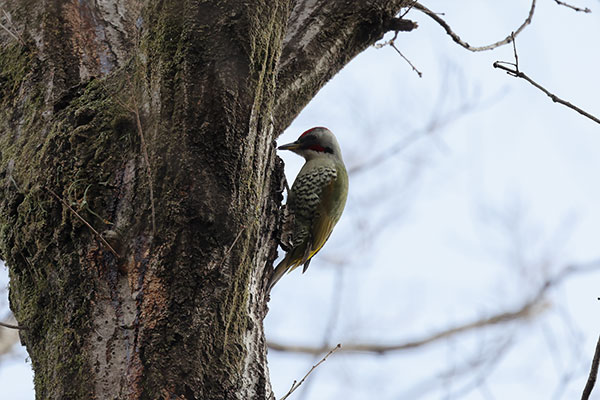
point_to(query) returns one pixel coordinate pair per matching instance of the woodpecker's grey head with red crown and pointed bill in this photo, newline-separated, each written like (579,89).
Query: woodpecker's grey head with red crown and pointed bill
(314,143)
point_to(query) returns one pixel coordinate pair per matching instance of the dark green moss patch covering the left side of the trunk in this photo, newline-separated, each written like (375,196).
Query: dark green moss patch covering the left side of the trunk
(73,151)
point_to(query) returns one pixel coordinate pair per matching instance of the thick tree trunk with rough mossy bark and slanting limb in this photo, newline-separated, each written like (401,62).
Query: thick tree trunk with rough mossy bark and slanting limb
(140,186)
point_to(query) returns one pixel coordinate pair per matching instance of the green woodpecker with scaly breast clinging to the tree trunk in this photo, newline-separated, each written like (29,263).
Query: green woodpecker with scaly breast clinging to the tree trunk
(317,198)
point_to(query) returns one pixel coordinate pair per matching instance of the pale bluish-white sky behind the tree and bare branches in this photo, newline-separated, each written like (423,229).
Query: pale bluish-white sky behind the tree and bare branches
(481,189)
